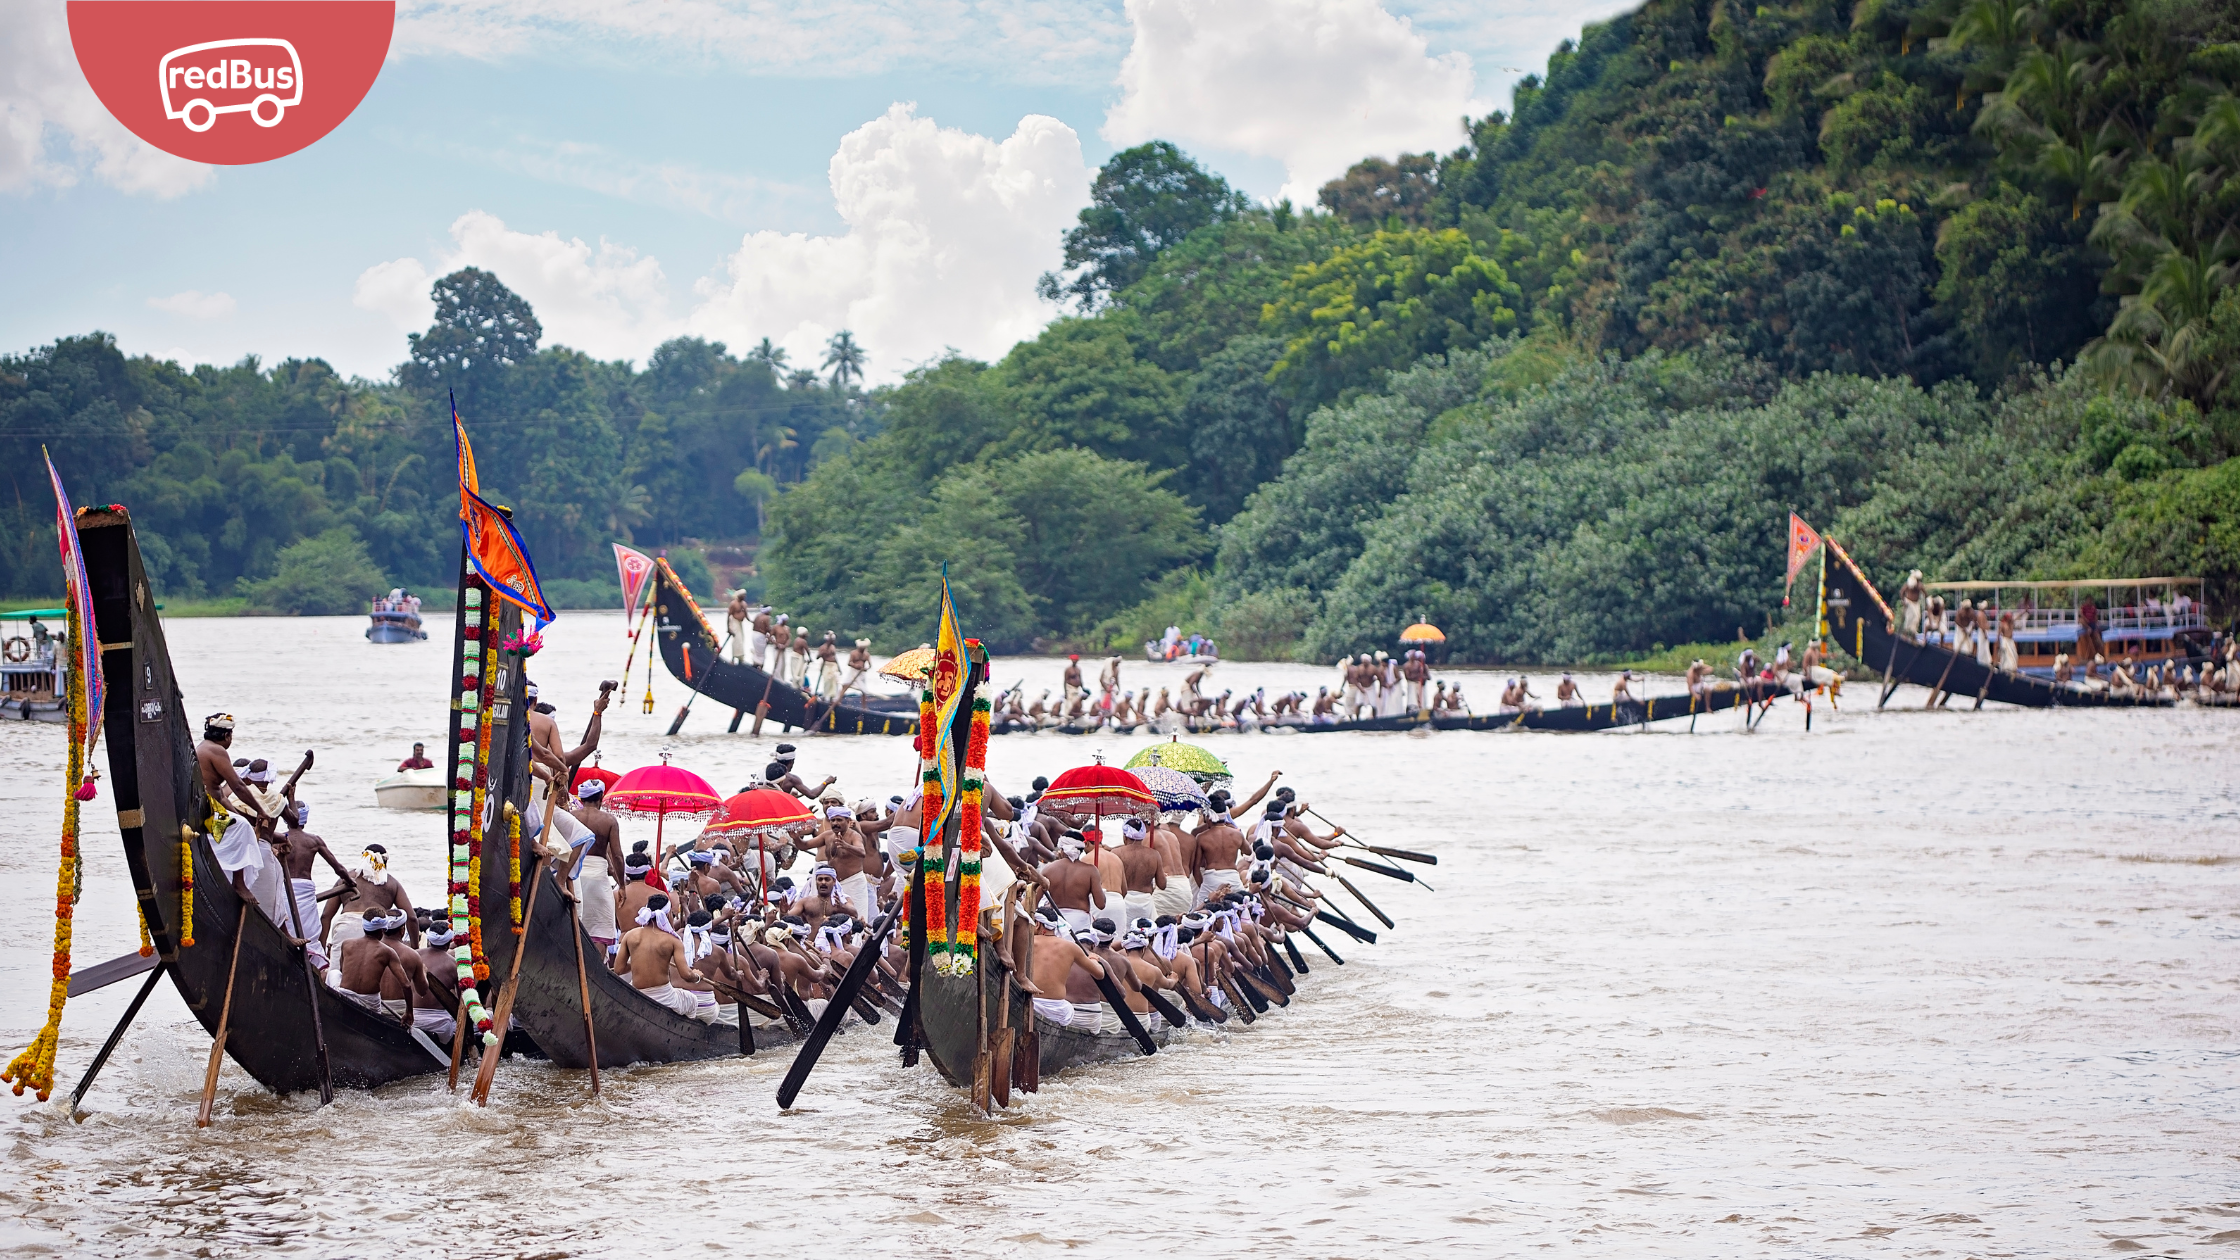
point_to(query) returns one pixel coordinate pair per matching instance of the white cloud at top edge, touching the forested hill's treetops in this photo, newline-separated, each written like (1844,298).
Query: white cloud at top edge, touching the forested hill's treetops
(1312,84)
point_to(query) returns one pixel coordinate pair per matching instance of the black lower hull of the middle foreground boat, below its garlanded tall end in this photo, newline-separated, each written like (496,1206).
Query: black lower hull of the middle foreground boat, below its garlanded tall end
(628,1026)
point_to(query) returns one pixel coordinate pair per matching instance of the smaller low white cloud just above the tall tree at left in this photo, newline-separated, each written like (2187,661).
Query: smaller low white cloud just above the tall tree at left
(606,299)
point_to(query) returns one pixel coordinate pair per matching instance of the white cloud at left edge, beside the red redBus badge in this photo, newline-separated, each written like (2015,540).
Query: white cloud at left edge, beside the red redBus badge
(46,100)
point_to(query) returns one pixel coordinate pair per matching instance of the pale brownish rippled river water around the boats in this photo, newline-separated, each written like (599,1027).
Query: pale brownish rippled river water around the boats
(1905,985)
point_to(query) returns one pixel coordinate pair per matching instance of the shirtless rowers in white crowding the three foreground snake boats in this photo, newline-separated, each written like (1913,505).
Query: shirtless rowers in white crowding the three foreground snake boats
(713,923)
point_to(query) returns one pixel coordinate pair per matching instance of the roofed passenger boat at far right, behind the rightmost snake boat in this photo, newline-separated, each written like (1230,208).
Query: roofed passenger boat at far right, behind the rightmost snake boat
(2163,618)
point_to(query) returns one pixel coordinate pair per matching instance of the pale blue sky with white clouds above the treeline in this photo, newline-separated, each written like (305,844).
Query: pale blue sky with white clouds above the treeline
(727,169)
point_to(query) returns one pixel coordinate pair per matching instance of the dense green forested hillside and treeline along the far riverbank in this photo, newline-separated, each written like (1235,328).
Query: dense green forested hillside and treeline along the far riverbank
(1957,281)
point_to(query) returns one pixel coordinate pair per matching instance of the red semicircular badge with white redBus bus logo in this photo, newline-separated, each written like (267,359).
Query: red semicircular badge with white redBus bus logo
(169,71)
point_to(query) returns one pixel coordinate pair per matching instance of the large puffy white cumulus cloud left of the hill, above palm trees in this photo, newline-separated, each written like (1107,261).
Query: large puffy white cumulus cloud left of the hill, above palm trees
(946,234)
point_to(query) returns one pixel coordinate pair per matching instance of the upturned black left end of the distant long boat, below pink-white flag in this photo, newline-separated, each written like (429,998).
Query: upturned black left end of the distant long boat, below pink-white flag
(693,656)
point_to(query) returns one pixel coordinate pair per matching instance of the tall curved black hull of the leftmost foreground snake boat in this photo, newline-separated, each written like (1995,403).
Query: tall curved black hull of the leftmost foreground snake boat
(158,793)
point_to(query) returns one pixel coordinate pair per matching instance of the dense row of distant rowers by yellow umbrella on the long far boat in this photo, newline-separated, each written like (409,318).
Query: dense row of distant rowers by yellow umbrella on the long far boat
(1368,687)
